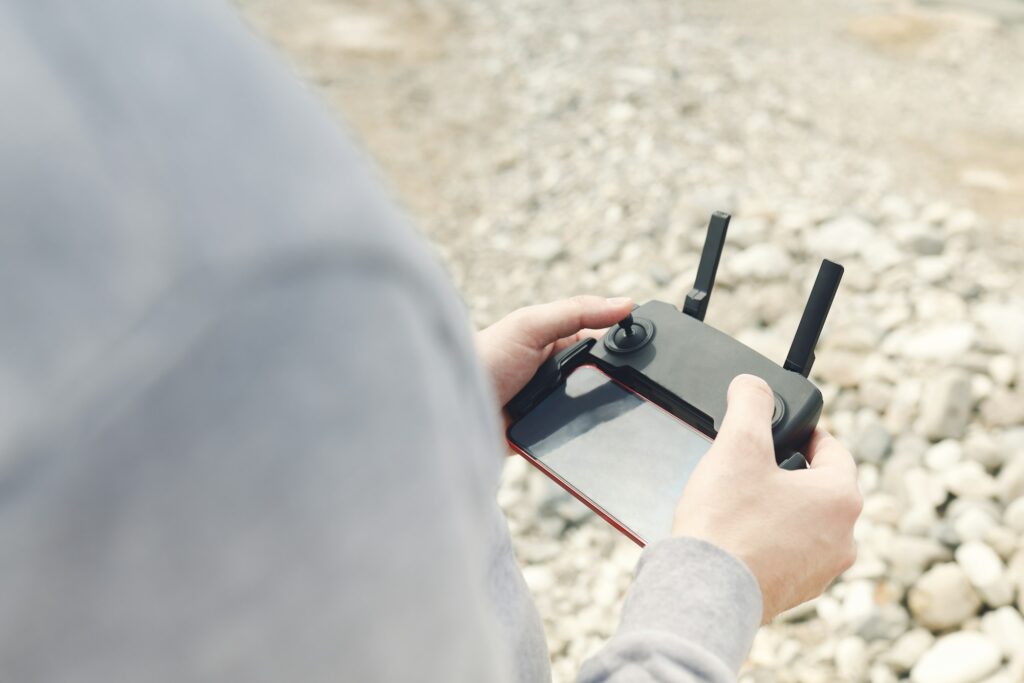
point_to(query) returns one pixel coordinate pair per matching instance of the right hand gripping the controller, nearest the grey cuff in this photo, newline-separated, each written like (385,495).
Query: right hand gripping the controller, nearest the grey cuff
(793,530)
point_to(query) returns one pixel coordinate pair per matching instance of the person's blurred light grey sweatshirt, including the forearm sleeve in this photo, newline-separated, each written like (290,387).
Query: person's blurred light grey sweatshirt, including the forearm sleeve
(243,433)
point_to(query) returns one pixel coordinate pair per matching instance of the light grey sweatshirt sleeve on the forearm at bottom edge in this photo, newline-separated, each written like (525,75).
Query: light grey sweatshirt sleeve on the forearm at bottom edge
(691,617)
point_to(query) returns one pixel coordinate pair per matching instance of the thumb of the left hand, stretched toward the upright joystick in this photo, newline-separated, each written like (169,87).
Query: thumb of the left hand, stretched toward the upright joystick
(546,324)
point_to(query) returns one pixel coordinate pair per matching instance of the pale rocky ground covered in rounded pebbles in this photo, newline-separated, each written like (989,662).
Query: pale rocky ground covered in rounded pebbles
(549,149)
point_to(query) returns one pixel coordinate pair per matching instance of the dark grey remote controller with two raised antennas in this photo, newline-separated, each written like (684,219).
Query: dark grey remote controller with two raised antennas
(676,361)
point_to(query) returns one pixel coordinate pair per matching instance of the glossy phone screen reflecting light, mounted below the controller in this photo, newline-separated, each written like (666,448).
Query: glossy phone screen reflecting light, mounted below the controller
(627,456)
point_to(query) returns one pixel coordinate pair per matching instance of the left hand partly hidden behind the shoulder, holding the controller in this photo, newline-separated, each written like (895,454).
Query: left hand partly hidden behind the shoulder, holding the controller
(516,347)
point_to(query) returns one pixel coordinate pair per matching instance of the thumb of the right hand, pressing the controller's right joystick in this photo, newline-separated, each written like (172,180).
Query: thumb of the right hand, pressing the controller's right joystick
(747,428)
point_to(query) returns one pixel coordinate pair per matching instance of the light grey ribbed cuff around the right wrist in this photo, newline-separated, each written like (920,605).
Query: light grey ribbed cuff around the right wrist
(699,592)
